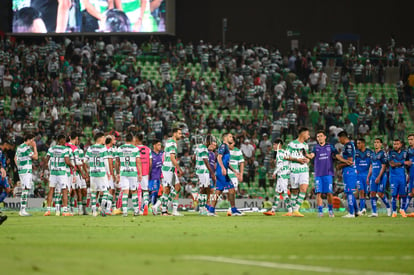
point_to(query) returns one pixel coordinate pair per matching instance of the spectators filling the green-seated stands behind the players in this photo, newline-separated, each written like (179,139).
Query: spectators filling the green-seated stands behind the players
(92,86)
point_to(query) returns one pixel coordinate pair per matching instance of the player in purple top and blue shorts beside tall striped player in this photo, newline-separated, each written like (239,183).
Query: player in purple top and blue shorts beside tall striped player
(324,171)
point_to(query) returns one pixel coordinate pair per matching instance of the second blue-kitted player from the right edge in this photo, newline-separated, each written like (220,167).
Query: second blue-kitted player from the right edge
(397,158)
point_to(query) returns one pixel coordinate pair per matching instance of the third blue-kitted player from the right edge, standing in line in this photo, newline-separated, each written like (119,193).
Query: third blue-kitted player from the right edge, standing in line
(377,177)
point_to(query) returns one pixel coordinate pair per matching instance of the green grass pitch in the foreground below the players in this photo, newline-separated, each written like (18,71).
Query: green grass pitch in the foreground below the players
(253,244)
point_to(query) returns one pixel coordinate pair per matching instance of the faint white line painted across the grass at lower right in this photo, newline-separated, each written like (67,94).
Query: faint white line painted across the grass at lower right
(287,266)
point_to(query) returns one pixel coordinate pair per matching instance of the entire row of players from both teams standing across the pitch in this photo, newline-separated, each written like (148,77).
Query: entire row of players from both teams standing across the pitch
(134,169)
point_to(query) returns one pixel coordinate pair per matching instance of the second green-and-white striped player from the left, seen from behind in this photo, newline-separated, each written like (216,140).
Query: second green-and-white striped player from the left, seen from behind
(58,157)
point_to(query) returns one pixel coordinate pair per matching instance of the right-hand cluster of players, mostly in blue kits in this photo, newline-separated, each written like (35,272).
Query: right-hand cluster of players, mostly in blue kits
(363,169)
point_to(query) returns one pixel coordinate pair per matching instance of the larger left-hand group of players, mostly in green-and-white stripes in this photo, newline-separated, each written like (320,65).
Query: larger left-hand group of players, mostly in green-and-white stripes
(133,169)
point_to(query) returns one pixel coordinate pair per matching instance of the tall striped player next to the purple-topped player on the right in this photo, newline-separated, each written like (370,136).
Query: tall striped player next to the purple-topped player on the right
(298,152)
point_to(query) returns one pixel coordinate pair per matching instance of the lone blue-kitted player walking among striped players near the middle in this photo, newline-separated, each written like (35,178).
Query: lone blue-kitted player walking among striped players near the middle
(222,178)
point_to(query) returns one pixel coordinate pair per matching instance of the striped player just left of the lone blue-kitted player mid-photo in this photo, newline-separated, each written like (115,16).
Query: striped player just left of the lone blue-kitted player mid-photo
(204,171)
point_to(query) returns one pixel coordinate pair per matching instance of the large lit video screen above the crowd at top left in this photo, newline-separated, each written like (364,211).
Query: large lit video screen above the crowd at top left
(91,16)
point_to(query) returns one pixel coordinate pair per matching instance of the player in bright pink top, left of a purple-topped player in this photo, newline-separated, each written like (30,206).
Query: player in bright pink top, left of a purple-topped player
(146,161)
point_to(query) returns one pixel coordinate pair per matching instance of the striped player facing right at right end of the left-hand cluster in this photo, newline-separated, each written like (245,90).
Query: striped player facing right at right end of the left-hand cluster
(169,168)
